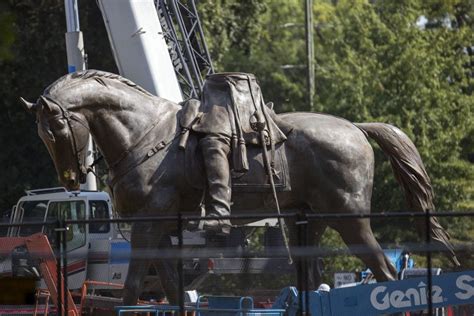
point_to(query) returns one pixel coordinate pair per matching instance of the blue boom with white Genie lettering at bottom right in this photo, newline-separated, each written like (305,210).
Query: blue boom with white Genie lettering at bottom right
(386,298)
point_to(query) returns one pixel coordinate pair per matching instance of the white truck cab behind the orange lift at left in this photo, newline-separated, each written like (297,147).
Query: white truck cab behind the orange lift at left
(96,251)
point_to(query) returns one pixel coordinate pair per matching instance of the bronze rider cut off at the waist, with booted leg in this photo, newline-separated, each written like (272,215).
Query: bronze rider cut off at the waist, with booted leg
(232,106)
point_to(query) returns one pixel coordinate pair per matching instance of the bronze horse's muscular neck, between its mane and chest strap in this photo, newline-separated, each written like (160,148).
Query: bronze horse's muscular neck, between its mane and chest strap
(119,118)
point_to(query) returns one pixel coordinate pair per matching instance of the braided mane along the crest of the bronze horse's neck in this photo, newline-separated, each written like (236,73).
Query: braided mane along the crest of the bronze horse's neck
(97,75)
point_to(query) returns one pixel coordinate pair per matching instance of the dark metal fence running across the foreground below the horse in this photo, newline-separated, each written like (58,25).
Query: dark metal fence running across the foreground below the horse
(161,259)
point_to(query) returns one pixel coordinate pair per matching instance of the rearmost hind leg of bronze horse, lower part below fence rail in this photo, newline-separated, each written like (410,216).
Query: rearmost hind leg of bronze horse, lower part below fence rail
(358,234)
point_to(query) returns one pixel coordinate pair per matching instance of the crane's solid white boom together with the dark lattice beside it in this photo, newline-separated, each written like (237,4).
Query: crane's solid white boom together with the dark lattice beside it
(159,45)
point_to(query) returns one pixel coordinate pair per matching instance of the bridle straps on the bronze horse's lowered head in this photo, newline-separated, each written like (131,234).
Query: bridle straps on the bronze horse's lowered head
(70,117)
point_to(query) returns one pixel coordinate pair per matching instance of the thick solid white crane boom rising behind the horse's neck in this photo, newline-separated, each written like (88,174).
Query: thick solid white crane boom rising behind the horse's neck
(139,46)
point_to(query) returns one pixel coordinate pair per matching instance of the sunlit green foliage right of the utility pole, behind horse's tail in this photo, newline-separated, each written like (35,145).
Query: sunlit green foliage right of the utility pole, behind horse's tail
(374,63)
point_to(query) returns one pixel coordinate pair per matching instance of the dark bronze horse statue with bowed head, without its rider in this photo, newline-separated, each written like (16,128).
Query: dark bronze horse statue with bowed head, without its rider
(331,166)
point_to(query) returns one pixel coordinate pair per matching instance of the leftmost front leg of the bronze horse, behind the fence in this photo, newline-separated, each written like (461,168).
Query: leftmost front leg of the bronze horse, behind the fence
(138,266)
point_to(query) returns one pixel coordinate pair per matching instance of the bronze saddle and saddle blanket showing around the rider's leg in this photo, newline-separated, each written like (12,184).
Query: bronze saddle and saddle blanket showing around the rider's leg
(256,179)
